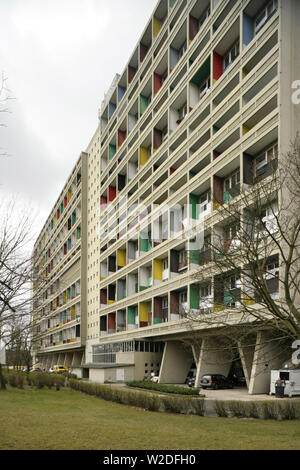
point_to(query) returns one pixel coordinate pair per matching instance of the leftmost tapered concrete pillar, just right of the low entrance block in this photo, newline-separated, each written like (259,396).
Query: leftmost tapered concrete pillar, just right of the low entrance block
(176,362)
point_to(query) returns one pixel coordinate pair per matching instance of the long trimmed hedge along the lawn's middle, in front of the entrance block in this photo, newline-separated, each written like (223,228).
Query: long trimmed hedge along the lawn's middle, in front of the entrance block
(147,401)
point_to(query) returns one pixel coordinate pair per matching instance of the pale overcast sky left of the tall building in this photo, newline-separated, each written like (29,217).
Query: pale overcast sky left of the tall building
(59,57)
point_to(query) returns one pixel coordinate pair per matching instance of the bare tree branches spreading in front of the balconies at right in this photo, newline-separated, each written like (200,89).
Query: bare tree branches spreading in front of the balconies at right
(248,276)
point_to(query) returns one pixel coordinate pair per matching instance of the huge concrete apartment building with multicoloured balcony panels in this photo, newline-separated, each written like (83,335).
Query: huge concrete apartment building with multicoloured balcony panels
(205,93)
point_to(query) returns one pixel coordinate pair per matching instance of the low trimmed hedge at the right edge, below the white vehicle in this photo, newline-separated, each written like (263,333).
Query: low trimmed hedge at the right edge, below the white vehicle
(264,409)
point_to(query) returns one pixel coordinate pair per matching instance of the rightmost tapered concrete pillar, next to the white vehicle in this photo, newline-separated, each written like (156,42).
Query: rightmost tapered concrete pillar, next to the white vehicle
(267,356)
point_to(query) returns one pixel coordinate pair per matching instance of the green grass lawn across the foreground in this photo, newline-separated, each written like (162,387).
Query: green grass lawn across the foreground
(48,419)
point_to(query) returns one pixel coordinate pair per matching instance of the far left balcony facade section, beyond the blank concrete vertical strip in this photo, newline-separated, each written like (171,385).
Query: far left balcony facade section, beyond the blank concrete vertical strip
(59,288)
